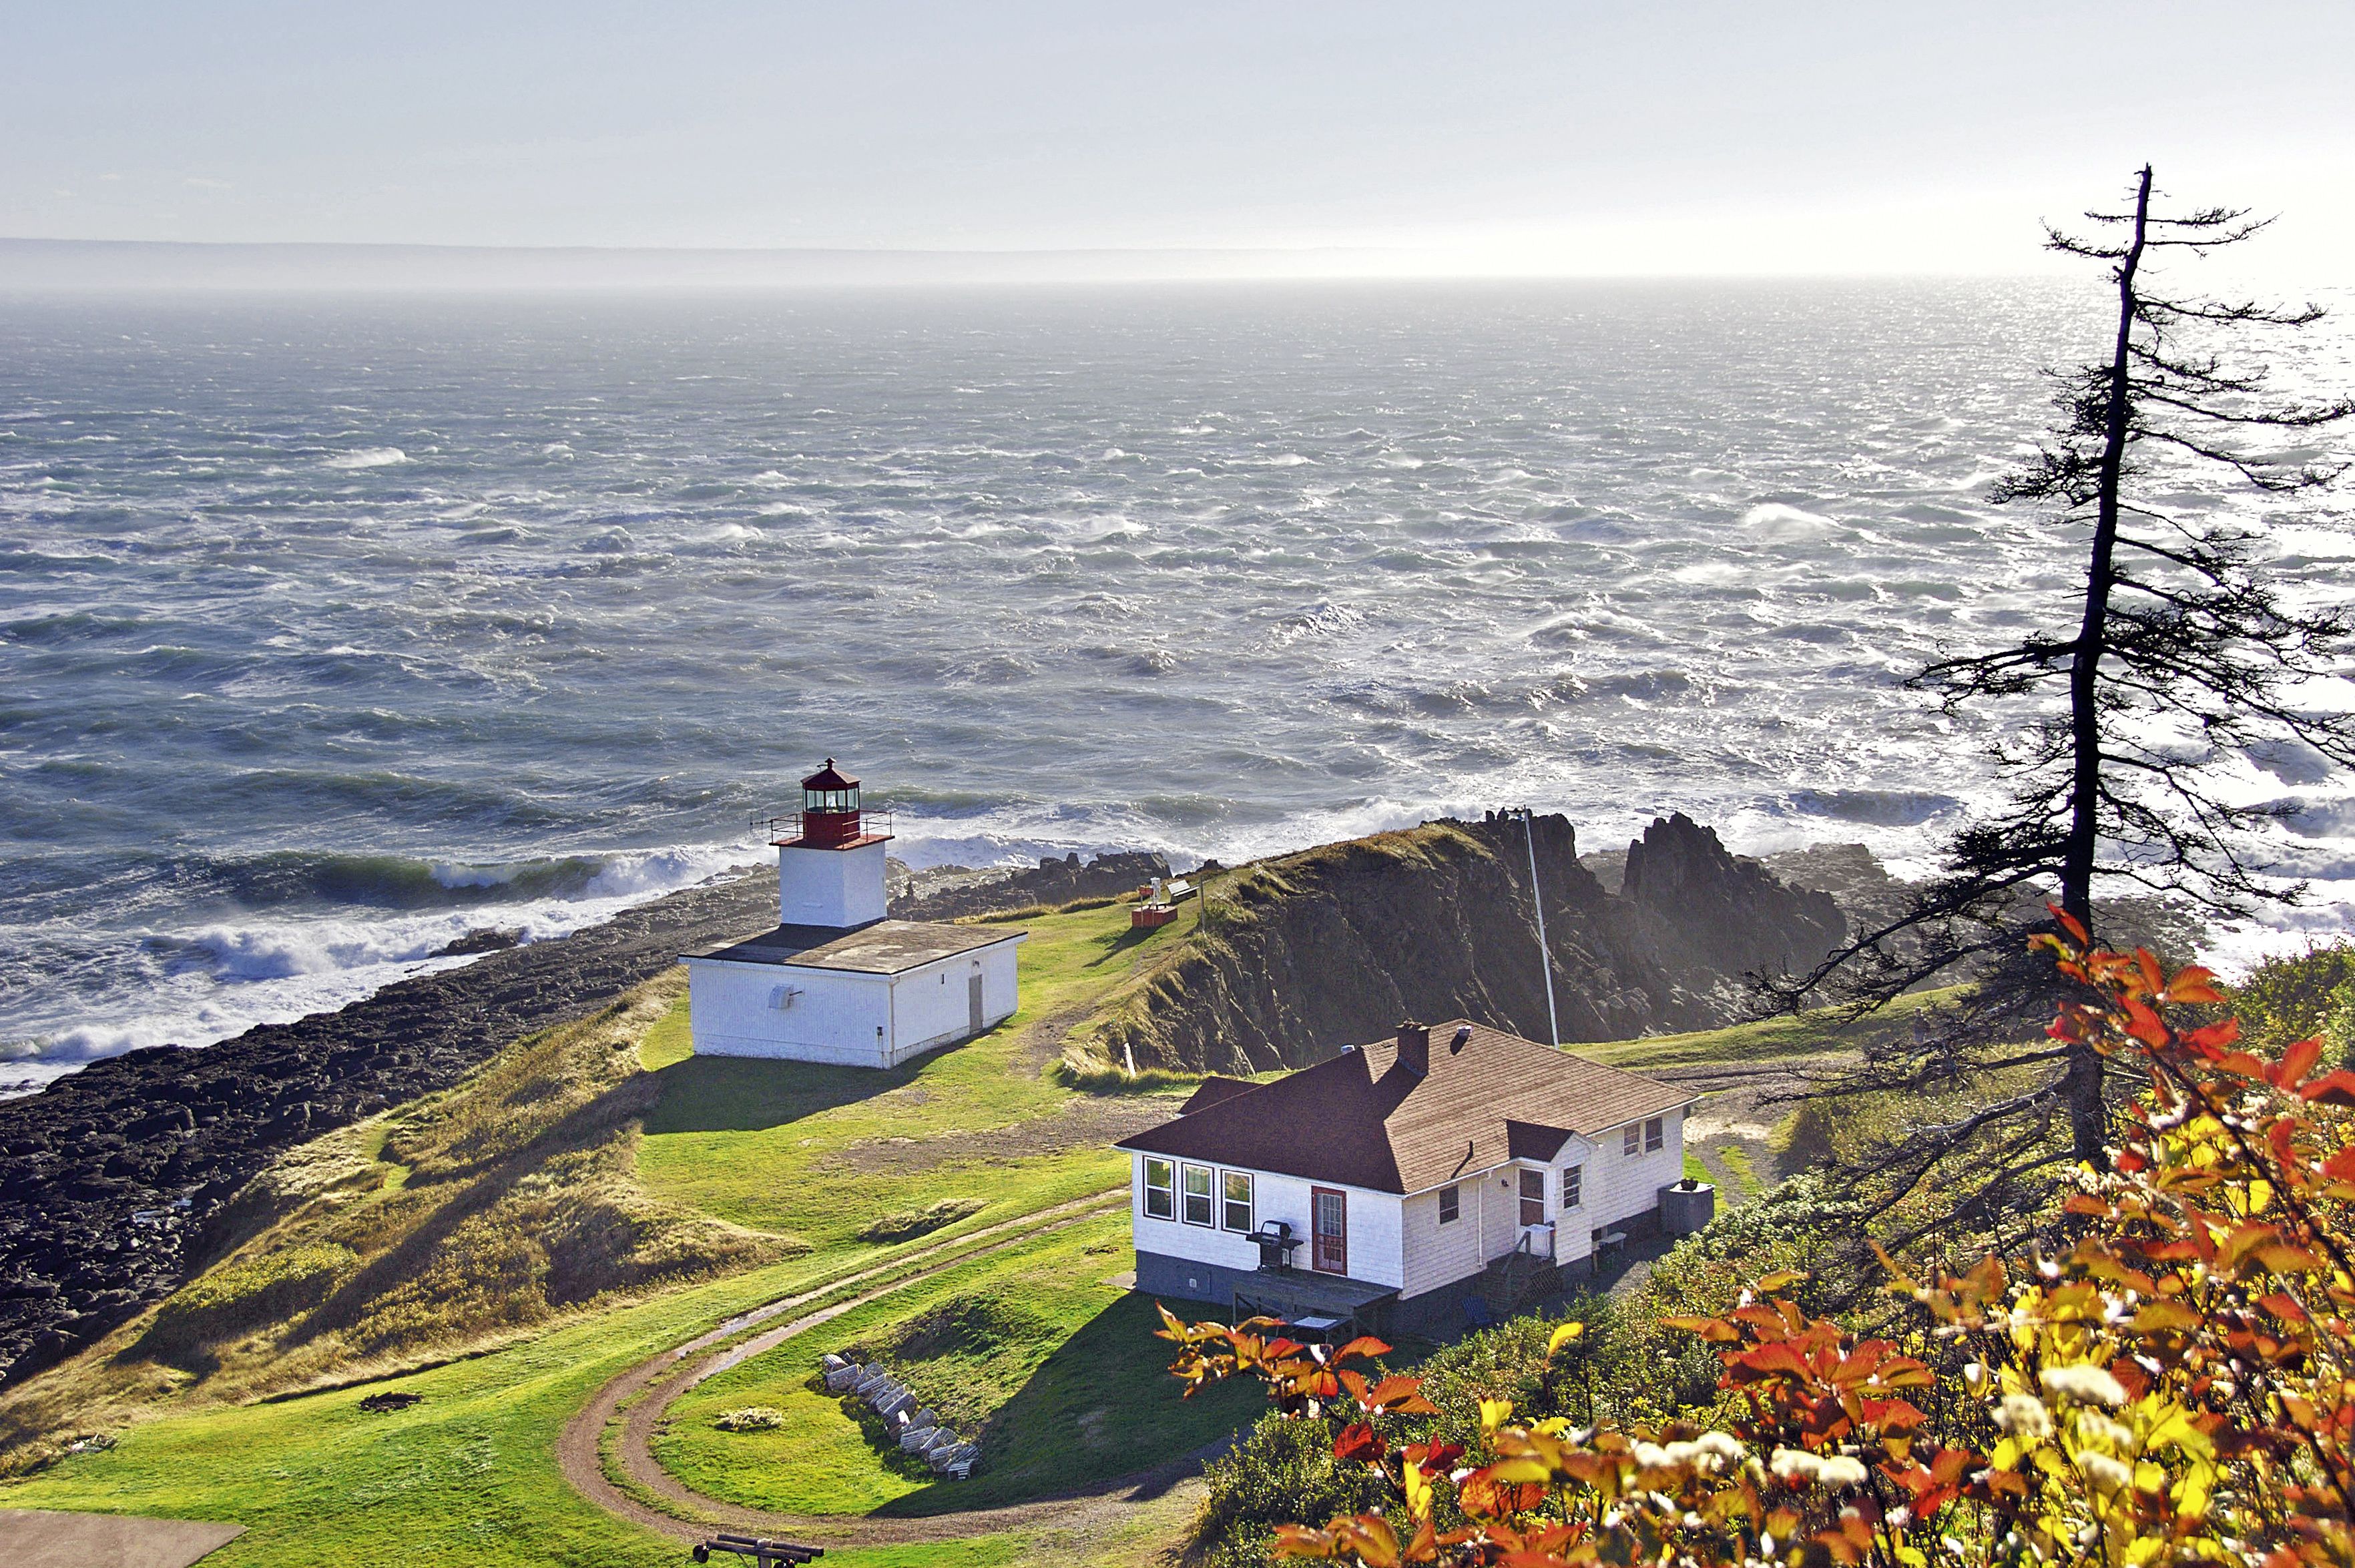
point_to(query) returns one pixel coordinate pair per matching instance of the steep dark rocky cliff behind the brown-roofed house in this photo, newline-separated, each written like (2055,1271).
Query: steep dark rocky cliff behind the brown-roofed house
(1332,948)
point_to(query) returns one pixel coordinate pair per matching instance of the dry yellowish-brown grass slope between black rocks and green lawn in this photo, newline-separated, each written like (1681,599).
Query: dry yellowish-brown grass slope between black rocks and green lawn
(442,1228)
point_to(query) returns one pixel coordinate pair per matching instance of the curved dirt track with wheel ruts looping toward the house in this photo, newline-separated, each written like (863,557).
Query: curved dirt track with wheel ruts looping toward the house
(656,1383)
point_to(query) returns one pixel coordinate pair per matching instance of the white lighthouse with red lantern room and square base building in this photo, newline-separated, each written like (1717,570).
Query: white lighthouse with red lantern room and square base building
(840,981)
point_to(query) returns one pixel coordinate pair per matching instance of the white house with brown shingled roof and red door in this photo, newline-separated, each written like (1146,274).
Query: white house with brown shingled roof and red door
(1398,1181)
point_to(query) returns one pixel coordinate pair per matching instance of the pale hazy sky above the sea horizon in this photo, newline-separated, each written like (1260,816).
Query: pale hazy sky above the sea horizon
(1485,138)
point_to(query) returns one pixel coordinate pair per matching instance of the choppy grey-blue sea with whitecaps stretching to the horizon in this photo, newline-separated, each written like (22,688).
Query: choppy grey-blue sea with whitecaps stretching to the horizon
(338,627)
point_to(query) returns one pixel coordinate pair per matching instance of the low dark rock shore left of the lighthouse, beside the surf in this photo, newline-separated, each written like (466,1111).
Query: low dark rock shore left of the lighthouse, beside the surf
(112,1176)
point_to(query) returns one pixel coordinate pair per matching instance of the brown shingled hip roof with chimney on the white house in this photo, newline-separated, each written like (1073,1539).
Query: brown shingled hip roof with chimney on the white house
(1362,1119)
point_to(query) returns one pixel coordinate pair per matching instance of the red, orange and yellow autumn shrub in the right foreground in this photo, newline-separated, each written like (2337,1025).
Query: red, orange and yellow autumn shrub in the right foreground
(2170,1386)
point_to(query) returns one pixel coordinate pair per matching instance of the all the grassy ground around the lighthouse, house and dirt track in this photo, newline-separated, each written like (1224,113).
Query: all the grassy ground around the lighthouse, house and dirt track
(597,1197)
